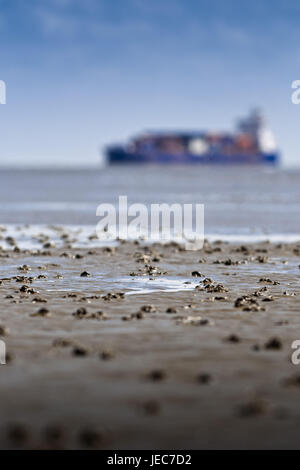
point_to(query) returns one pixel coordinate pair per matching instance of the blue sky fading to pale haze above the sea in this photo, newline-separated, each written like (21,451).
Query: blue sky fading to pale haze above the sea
(83,74)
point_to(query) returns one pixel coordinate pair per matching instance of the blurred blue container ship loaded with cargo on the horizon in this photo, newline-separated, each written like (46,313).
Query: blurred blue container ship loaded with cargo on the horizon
(252,143)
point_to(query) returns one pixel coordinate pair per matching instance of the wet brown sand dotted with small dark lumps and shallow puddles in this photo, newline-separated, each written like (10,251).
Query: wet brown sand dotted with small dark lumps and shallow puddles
(141,346)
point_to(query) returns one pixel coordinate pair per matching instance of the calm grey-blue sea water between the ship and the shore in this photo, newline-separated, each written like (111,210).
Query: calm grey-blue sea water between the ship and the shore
(239,201)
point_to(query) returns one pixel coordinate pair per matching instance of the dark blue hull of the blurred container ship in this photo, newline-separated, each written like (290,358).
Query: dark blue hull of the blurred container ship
(118,155)
